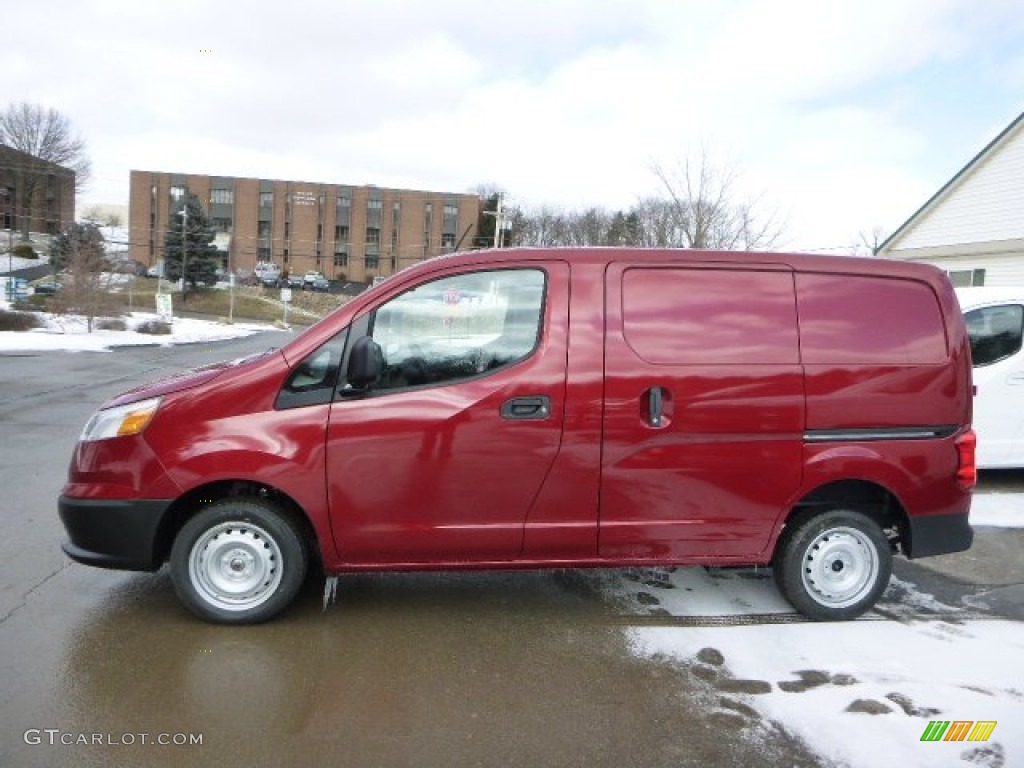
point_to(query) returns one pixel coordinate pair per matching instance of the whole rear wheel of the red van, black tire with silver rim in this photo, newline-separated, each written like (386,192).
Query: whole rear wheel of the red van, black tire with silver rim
(835,566)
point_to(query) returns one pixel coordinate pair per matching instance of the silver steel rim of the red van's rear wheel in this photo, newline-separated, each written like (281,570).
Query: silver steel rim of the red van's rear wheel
(841,567)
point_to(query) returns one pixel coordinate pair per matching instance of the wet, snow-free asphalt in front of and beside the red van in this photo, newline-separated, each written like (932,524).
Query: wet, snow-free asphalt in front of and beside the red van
(99,668)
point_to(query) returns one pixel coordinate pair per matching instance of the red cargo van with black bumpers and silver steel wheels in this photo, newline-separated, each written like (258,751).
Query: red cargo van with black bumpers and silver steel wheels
(551,409)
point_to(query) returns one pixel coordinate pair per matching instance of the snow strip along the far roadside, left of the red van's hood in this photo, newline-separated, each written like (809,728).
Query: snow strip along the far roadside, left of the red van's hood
(70,333)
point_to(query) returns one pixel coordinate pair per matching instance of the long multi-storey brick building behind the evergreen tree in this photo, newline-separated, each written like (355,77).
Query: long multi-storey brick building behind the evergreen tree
(348,233)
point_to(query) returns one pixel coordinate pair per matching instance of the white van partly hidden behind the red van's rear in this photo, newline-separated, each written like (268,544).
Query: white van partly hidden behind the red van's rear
(996,325)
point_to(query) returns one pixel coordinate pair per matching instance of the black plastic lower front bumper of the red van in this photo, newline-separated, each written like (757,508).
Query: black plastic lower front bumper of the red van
(113,533)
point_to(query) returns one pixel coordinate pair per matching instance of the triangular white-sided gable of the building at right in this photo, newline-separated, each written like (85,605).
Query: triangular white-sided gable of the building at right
(987,206)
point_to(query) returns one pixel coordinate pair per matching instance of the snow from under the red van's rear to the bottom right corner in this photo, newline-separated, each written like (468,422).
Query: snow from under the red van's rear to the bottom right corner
(859,694)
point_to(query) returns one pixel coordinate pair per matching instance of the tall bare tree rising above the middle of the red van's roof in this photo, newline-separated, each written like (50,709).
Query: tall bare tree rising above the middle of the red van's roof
(707,212)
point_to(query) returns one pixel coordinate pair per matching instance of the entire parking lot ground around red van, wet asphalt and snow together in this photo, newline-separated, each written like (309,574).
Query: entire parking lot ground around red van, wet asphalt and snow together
(633,667)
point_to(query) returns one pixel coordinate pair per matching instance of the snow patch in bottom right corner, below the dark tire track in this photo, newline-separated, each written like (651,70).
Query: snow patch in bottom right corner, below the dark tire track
(863,694)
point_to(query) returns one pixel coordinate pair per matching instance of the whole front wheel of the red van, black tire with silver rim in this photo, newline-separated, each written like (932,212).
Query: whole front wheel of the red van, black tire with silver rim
(239,562)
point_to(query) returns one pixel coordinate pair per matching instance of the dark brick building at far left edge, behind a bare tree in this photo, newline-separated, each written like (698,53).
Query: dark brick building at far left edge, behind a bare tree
(53,199)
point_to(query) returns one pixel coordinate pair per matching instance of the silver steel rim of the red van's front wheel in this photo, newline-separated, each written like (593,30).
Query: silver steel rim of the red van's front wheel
(236,566)
